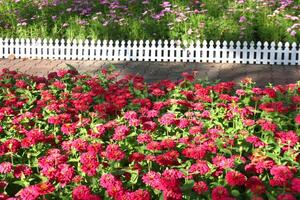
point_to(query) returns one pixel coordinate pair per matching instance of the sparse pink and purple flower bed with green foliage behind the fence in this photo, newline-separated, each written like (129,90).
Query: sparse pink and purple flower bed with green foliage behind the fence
(264,20)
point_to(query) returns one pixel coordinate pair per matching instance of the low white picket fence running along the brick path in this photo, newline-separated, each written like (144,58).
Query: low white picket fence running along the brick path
(167,51)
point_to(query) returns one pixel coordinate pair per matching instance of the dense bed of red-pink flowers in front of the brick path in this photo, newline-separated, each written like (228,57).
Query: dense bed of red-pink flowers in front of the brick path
(82,137)
